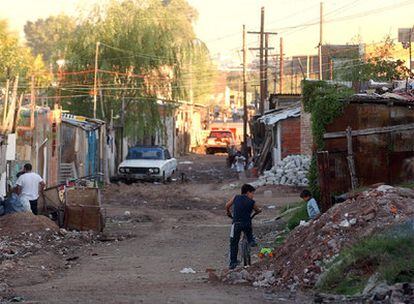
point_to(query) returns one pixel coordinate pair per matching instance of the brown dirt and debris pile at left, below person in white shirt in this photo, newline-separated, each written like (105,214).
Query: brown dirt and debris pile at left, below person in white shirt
(34,247)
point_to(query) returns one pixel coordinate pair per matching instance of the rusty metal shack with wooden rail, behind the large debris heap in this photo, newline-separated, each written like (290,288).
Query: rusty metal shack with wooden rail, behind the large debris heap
(371,142)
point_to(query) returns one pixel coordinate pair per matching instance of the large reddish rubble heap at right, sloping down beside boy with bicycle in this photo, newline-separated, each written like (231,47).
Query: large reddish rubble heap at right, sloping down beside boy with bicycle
(302,258)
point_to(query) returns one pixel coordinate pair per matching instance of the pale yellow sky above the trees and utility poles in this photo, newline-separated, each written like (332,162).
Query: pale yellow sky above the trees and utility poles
(220,21)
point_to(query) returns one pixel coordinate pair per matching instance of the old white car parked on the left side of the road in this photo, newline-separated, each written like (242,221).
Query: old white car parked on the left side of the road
(147,163)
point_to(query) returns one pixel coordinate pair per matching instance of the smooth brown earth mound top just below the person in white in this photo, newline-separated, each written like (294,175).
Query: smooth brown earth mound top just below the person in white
(20,222)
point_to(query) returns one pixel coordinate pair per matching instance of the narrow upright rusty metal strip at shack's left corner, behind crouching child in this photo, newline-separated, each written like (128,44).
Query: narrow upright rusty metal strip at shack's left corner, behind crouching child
(324,180)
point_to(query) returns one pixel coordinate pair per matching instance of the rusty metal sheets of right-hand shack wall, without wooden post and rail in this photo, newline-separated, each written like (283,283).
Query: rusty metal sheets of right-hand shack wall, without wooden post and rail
(378,157)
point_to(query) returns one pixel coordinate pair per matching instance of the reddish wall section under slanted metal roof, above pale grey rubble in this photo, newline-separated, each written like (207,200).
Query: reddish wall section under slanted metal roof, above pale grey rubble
(290,135)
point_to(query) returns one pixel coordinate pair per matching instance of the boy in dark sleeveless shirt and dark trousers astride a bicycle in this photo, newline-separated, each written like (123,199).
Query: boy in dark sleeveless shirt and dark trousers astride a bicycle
(243,207)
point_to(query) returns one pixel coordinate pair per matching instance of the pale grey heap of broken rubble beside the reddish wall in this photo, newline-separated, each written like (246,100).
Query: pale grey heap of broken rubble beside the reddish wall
(291,171)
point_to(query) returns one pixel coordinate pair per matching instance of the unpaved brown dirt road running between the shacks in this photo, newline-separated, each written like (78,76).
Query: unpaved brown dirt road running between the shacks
(170,227)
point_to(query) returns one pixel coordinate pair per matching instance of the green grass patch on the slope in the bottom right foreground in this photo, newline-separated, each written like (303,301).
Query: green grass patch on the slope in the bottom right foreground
(390,254)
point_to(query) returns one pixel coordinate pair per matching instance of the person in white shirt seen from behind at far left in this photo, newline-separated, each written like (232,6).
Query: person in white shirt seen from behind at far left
(29,185)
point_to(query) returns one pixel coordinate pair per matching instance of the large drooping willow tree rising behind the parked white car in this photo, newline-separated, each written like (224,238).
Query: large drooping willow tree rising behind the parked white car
(148,52)
